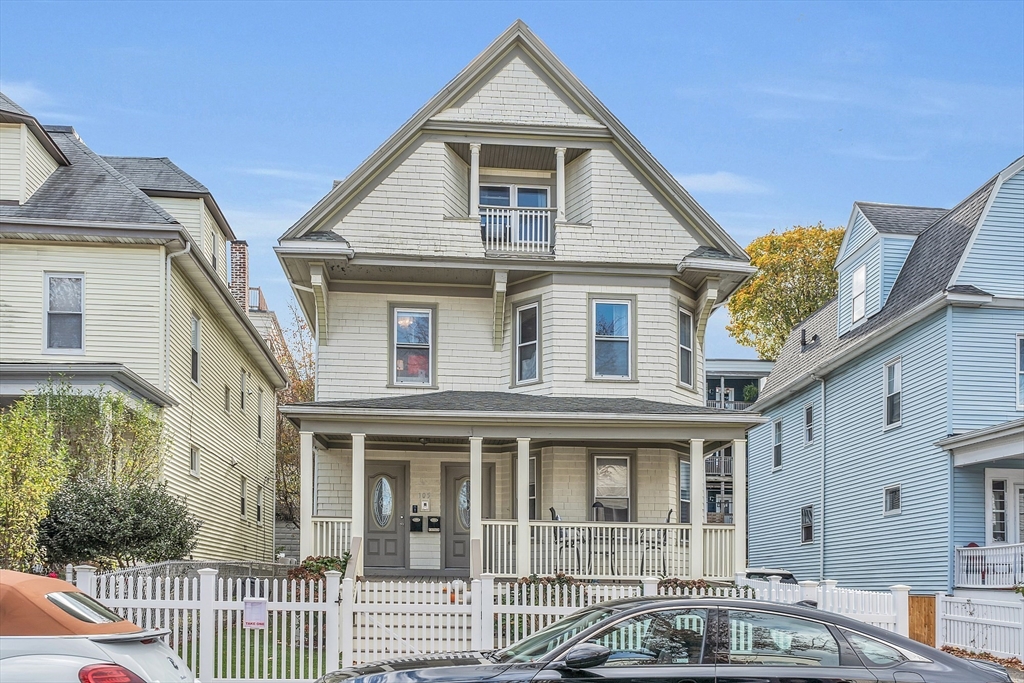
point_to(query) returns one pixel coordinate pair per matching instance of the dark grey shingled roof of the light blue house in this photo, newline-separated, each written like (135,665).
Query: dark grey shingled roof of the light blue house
(925,275)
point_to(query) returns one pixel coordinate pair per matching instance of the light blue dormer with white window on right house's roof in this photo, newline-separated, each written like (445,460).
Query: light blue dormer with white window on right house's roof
(878,240)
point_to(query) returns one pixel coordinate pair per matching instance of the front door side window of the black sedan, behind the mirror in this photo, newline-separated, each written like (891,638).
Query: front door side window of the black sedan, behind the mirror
(664,637)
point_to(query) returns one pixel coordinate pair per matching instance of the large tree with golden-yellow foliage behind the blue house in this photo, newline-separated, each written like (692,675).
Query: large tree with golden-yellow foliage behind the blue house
(795,278)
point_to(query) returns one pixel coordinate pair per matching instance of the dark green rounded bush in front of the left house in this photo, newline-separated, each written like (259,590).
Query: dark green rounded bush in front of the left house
(116,524)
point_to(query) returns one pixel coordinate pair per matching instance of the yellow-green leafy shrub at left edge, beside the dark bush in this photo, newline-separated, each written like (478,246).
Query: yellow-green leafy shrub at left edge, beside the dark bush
(32,468)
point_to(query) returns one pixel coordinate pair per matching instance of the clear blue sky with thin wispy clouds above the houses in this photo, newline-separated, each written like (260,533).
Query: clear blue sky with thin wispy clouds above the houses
(771,114)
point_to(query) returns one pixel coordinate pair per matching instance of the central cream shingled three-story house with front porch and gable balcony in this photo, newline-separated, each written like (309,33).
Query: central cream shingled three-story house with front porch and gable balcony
(510,298)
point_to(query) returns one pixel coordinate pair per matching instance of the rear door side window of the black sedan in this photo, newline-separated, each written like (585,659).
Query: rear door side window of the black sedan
(766,638)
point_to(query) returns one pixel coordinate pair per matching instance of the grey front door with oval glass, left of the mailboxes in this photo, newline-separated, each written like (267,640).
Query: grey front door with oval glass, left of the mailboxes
(388,535)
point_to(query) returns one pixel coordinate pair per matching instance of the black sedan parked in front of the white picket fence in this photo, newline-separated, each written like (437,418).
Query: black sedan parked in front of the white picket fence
(700,641)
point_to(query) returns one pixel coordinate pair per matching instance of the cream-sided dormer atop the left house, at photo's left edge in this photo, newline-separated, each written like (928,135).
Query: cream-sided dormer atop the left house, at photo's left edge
(28,154)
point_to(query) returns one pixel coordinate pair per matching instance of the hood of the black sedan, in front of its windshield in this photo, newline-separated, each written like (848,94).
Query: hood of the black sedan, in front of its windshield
(444,667)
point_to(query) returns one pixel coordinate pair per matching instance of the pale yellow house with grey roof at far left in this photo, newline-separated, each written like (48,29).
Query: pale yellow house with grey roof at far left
(113,274)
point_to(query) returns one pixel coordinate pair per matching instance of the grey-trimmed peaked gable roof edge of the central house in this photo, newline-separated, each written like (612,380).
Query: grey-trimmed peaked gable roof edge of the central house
(520,36)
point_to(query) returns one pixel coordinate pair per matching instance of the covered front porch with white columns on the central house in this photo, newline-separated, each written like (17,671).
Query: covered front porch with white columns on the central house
(606,499)
